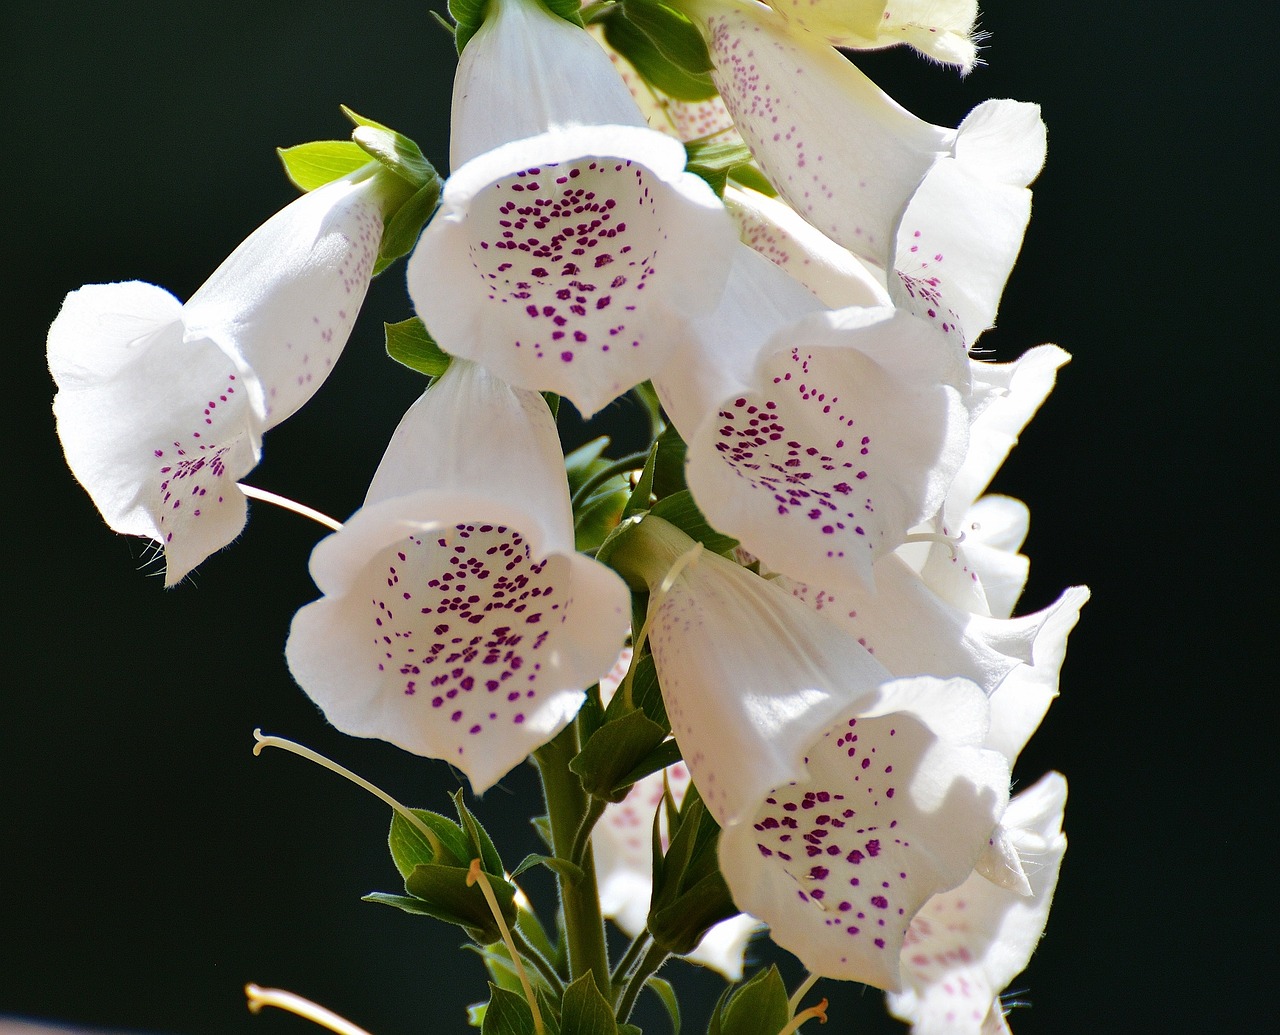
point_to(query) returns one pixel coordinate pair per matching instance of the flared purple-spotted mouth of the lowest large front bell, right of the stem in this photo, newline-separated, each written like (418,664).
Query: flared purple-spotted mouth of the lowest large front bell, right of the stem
(898,805)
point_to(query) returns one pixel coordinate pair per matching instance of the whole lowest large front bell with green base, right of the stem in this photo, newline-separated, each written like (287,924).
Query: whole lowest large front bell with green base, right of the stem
(847,798)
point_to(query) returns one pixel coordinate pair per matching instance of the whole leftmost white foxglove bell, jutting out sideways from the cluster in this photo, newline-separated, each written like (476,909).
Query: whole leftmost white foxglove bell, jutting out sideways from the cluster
(162,406)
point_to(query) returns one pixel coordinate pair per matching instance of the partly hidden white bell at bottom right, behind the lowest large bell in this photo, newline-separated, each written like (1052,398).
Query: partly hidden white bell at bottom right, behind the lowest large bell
(967,945)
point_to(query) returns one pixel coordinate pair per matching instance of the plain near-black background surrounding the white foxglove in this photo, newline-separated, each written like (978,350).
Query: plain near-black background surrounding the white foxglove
(150,865)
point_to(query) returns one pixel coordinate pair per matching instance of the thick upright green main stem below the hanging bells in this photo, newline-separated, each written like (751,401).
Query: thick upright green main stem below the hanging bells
(580,901)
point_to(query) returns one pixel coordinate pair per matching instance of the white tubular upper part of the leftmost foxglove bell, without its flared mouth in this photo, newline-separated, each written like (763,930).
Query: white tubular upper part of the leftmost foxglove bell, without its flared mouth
(284,304)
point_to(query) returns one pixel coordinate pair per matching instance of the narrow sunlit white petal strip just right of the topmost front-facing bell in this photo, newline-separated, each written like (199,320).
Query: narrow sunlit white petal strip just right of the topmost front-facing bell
(831,272)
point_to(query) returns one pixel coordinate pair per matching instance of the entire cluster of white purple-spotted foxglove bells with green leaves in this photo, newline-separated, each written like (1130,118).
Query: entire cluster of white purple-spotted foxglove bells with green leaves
(824,690)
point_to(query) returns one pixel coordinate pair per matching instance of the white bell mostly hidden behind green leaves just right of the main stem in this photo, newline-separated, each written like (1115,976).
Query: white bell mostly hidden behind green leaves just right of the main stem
(623,846)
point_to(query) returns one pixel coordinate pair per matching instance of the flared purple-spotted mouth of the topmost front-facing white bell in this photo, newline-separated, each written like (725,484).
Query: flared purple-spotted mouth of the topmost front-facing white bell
(572,263)
